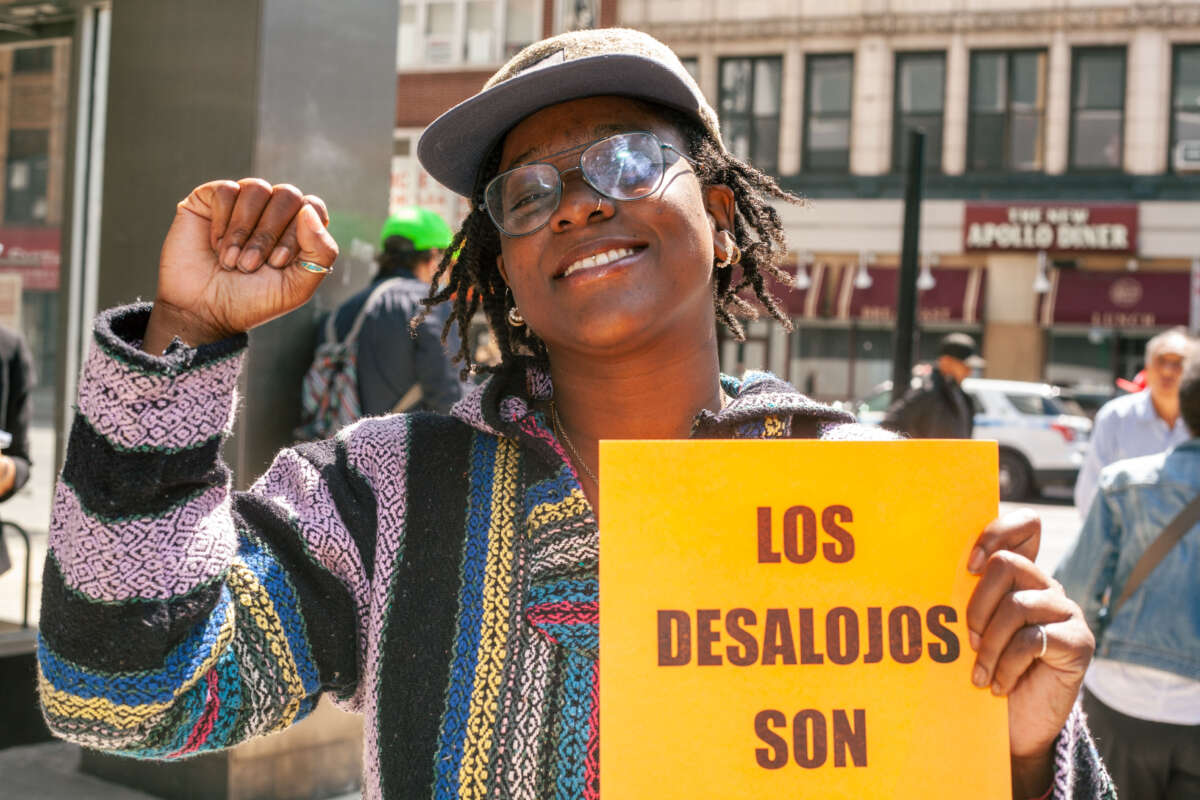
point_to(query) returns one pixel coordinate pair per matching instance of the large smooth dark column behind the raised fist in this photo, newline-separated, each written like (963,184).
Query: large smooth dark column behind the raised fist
(298,92)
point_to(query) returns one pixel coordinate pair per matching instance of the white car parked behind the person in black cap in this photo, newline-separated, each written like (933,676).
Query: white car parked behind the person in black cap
(1041,443)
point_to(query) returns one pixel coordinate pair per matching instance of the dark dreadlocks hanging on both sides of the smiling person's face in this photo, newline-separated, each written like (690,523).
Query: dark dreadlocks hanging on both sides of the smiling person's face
(475,280)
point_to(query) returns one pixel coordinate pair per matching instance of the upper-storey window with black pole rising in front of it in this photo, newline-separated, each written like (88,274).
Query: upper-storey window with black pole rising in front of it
(920,104)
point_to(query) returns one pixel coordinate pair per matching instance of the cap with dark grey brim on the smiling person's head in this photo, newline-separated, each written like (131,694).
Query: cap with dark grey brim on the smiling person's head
(580,64)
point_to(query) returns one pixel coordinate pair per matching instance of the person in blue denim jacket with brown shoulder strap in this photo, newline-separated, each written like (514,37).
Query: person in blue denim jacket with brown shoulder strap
(1143,691)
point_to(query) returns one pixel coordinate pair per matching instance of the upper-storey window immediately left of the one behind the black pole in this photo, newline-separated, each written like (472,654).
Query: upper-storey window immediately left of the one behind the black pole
(827,103)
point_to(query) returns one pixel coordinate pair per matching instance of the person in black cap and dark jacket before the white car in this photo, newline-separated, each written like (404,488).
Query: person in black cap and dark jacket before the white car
(939,408)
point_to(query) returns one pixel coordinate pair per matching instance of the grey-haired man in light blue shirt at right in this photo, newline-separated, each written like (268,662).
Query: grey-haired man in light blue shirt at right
(1143,424)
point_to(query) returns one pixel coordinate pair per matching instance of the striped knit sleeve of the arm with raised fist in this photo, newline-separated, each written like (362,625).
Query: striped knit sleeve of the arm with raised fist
(179,617)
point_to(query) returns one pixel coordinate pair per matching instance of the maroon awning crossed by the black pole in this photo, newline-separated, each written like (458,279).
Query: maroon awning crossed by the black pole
(957,297)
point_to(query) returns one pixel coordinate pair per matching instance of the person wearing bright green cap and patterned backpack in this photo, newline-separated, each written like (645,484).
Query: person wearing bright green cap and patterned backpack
(399,370)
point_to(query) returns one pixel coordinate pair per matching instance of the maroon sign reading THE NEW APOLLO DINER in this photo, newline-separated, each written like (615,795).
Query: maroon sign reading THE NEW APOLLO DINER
(1024,227)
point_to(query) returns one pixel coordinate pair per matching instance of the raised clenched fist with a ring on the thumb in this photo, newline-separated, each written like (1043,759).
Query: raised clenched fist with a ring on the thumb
(237,256)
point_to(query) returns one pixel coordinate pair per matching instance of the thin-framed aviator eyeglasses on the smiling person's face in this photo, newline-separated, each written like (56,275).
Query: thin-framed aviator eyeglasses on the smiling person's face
(623,167)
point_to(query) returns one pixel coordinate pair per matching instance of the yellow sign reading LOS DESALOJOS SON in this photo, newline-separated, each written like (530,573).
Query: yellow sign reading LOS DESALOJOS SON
(788,619)
